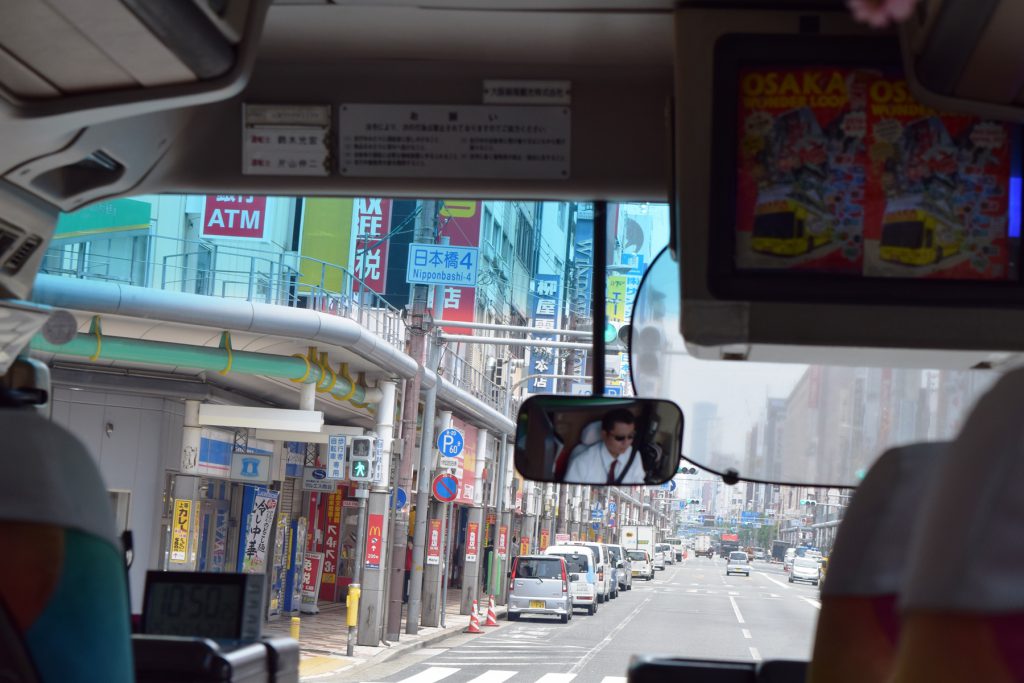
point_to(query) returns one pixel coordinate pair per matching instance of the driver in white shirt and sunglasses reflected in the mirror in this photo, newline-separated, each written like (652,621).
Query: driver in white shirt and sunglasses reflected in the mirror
(613,459)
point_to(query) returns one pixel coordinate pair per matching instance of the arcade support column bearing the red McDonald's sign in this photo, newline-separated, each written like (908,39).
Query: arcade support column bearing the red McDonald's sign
(372,602)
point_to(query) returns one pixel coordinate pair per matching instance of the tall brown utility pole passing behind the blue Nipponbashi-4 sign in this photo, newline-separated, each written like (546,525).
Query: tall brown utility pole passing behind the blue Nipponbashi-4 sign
(418,326)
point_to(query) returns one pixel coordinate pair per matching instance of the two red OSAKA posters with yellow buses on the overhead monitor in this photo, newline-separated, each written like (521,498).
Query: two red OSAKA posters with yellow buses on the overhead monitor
(841,172)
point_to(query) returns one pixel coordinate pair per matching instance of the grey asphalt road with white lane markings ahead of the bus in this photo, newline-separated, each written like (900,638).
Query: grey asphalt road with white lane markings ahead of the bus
(692,610)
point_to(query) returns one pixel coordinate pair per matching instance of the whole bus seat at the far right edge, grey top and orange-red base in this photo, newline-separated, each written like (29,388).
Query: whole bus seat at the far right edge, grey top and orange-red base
(963,604)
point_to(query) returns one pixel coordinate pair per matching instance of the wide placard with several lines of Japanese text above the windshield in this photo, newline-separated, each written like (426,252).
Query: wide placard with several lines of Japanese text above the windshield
(455,142)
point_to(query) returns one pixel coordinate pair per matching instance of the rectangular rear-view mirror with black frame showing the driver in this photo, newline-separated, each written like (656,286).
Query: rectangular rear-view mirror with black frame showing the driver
(599,441)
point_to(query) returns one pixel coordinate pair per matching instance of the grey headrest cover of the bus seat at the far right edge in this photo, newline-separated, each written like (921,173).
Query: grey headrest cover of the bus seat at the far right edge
(966,554)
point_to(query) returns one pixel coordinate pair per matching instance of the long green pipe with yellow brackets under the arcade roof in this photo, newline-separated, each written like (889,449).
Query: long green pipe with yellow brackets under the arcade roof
(300,370)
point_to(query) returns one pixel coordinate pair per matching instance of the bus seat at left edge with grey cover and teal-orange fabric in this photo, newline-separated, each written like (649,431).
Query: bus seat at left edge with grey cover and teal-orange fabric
(63,583)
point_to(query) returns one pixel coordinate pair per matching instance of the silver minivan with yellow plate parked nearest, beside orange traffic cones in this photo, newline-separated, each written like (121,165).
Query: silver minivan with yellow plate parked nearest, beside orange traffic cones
(540,585)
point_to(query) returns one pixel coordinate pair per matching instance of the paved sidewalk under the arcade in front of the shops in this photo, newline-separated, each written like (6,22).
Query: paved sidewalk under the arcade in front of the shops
(323,637)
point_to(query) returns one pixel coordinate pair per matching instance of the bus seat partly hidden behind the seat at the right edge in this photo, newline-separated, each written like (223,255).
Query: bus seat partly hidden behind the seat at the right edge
(859,629)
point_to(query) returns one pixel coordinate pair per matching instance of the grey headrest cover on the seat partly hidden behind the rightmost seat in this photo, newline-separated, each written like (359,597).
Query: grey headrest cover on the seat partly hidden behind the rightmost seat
(872,546)
